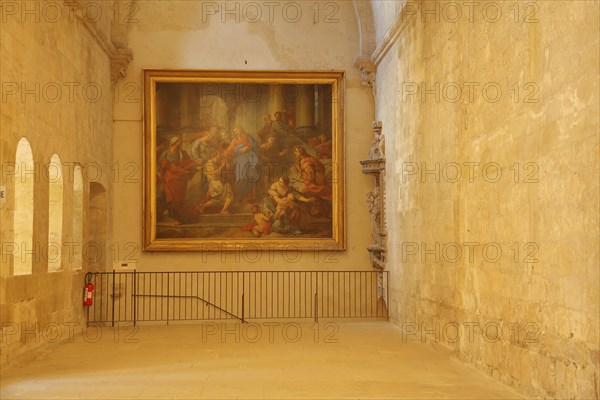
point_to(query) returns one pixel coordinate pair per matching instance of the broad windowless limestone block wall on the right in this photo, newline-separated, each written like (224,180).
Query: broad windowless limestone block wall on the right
(491,119)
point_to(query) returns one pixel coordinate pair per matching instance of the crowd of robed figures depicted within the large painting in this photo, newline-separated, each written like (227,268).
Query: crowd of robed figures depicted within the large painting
(270,175)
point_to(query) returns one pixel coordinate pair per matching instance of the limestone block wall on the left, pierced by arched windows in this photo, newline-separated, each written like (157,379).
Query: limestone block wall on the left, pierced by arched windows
(56,93)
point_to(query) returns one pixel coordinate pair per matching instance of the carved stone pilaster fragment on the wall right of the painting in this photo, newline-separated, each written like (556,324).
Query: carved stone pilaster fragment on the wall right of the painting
(375,166)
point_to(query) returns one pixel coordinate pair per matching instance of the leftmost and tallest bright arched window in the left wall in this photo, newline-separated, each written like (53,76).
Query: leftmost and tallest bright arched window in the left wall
(23,213)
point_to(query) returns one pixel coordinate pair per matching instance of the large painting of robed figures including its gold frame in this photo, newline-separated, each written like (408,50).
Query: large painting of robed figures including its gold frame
(243,159)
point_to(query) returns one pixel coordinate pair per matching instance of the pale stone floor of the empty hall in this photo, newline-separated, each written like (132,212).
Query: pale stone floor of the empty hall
(367,360)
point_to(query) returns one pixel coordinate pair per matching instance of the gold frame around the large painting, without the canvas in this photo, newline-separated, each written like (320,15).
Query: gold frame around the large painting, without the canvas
(153,76)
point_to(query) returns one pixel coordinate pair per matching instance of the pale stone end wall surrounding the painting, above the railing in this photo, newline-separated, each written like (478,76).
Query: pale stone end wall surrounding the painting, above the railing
(241,36)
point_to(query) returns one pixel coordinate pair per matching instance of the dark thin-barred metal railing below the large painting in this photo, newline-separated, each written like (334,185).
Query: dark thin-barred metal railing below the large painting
(243,295)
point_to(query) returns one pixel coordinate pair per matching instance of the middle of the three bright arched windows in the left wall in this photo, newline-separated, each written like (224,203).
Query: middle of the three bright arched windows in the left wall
(55,214)
